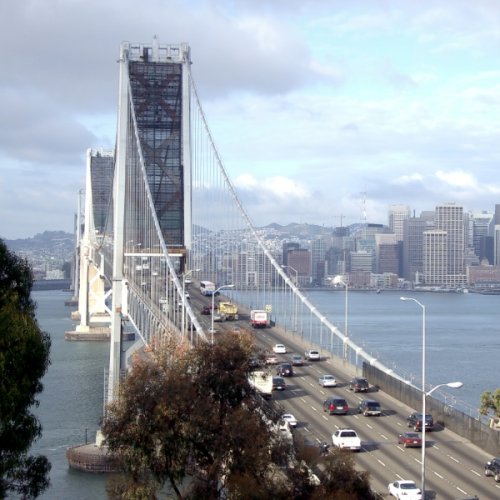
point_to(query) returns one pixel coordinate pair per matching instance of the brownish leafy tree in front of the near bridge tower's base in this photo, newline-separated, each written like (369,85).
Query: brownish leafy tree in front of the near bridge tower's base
(191,413)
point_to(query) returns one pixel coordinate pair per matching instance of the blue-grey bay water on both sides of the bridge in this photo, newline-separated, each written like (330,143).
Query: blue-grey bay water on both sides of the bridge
(462,343)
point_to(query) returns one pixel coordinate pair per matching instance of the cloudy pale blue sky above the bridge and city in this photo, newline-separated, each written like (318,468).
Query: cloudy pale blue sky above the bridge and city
(323,111)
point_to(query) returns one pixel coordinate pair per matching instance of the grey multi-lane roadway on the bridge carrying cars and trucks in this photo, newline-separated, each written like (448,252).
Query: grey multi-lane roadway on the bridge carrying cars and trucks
(454,467)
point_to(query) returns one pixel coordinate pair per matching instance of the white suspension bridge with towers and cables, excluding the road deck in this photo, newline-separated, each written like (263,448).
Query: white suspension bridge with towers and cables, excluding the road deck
(160,208)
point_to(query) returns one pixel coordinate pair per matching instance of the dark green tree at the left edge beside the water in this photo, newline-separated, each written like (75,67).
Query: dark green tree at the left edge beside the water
(24,358)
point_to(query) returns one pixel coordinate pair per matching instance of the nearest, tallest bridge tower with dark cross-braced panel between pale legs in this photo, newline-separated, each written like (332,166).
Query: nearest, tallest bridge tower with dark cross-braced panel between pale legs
(153,140)
